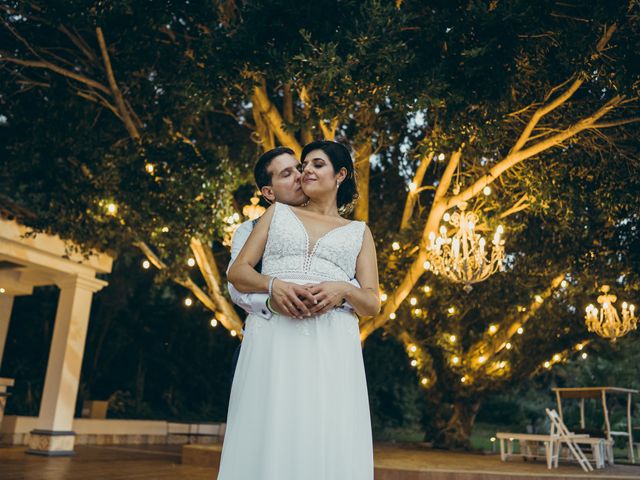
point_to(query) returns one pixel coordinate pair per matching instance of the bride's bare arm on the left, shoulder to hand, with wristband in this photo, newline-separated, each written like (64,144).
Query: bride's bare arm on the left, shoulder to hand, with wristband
(245,278)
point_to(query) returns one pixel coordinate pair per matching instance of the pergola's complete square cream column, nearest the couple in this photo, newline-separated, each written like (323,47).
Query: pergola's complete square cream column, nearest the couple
(53,434)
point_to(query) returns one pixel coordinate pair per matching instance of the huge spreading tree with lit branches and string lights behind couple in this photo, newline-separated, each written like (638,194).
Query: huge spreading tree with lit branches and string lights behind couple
(134,123)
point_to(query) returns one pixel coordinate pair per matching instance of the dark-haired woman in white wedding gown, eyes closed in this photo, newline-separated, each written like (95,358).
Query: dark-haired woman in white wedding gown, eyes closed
(299,407)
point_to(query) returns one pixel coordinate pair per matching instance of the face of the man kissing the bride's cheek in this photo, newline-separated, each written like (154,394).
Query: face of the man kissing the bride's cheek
(285,181)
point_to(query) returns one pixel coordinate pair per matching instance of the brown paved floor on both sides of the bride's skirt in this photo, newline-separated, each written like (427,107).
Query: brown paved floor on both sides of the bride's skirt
(393,462)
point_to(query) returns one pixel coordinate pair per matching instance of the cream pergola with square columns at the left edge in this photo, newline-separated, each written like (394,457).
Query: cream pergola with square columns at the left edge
(28,262)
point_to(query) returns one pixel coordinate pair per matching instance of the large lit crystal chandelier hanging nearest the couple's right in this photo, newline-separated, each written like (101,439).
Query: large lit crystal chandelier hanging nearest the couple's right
(463,258)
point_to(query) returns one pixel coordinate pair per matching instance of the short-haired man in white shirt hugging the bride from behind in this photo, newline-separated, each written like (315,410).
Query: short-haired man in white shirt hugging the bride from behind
(277,176)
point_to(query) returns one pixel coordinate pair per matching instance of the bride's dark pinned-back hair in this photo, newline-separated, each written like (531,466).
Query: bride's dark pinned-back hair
(340,157)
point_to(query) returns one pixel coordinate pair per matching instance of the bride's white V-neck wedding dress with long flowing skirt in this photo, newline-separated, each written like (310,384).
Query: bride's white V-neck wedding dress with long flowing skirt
(299,408)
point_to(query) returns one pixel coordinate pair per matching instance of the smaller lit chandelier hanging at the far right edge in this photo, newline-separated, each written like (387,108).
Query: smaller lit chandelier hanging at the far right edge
(605,320)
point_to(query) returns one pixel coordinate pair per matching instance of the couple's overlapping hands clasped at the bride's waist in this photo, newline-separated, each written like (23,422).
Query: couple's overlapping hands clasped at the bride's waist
(307,300)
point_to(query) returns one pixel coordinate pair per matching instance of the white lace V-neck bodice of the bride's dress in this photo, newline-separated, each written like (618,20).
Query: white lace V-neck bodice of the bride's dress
(289,255)
